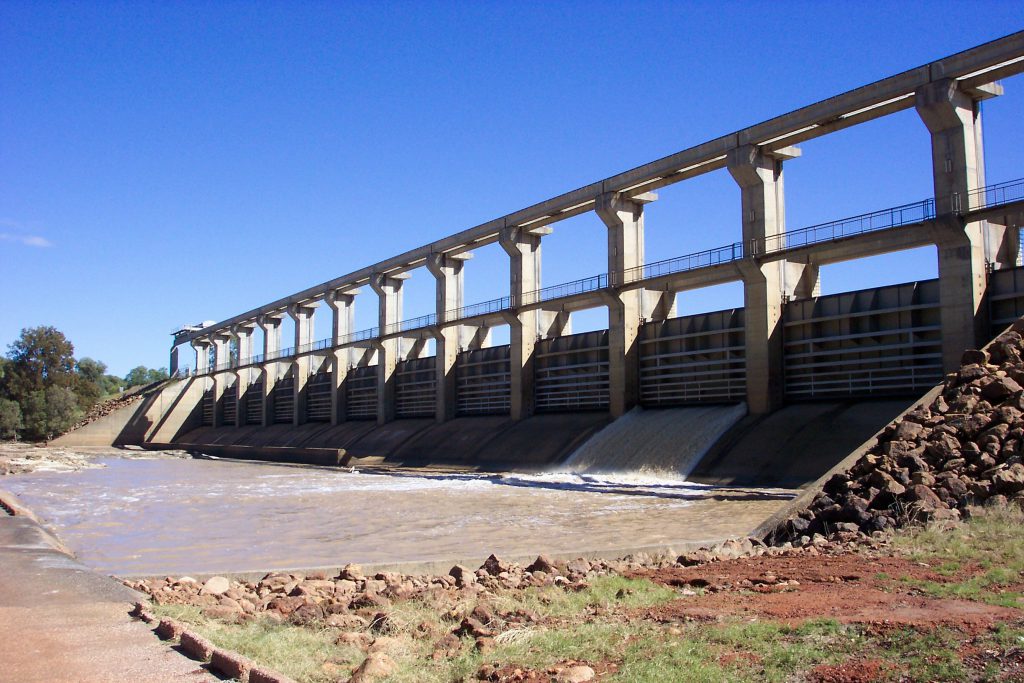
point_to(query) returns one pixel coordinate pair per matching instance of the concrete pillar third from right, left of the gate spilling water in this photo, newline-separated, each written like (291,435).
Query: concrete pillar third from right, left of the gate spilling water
(624,219)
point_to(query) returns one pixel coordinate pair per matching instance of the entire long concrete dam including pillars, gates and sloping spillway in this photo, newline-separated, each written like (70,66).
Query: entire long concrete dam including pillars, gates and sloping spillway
(435,391)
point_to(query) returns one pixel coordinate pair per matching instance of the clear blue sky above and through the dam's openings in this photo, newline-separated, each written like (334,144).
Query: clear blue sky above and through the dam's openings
(168,163)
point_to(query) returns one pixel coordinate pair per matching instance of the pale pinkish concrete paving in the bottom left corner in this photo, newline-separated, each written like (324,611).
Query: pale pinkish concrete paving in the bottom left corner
(60,621)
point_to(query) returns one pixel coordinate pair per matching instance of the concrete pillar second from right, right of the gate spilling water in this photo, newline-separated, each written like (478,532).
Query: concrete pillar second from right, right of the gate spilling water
(760,179)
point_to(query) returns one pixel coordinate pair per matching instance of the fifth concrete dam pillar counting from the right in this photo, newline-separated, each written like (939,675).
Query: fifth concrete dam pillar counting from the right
(448,273)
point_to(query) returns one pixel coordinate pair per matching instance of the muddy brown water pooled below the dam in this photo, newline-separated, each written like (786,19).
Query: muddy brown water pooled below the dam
(174,517)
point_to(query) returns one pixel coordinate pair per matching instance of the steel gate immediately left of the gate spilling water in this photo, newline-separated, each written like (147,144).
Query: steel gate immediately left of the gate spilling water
(572,373)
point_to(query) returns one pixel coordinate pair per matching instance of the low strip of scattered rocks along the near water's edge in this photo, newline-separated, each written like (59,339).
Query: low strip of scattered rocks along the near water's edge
(352,601)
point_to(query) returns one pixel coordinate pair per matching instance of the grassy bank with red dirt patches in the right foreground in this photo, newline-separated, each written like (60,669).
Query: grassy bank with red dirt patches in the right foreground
(949,610)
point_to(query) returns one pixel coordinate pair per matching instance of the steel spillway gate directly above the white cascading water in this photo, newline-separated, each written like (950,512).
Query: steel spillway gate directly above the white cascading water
(694,360)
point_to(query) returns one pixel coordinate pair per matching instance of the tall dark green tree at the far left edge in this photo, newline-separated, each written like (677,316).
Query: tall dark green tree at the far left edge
(41,358)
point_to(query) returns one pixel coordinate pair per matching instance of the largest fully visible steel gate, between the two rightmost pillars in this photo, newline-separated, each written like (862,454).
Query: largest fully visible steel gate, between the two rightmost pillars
(882,341)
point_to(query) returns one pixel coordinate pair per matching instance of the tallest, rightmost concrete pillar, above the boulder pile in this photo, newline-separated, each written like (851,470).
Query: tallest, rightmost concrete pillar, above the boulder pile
(953,119)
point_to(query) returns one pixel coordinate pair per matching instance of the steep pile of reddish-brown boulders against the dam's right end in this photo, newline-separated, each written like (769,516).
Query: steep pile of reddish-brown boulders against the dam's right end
(963,449)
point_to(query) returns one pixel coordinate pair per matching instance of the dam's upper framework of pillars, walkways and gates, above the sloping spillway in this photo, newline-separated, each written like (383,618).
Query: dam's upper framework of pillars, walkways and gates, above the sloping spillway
(780,346)
